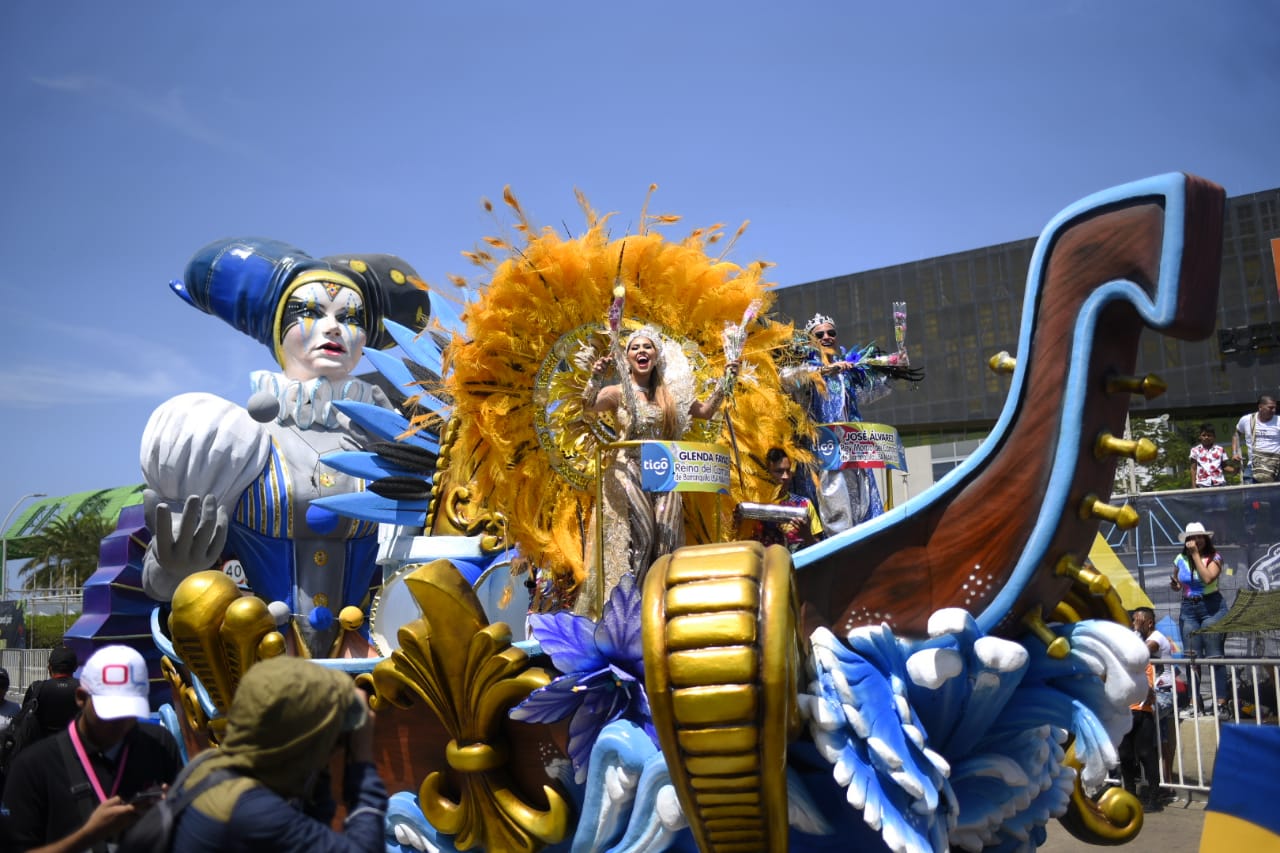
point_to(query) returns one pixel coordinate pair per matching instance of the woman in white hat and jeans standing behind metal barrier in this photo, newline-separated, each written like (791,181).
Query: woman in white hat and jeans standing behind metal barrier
(1196,574)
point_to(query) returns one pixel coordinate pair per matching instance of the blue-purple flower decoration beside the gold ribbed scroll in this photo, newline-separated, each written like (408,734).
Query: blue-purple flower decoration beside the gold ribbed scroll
(604,667)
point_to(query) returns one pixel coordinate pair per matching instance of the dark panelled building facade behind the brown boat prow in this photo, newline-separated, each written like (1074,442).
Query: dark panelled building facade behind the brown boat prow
(966,308)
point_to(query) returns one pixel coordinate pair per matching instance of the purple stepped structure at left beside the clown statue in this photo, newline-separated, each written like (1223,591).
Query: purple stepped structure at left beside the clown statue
(116,610)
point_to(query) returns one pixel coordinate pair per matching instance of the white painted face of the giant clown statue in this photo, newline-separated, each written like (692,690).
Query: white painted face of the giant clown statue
(323,332)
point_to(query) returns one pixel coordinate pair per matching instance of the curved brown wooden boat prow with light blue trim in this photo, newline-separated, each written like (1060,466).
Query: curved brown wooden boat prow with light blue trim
(990,537)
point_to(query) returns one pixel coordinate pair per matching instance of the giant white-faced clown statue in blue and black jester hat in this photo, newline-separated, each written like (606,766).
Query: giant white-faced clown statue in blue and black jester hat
(232,483)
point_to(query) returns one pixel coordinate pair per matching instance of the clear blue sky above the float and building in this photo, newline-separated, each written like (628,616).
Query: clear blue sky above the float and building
(852,136)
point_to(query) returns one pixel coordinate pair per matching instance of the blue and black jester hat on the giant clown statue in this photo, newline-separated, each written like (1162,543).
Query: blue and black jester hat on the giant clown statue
(249,280)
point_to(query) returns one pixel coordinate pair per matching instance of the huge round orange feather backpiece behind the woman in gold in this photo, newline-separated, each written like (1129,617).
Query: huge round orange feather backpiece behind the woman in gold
(527,436)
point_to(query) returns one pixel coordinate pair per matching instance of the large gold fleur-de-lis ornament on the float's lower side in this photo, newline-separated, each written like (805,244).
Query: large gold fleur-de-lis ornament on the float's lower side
(470,676)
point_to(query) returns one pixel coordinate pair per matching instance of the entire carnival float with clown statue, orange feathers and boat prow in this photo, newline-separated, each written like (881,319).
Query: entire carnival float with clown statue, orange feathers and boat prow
(464,540)
